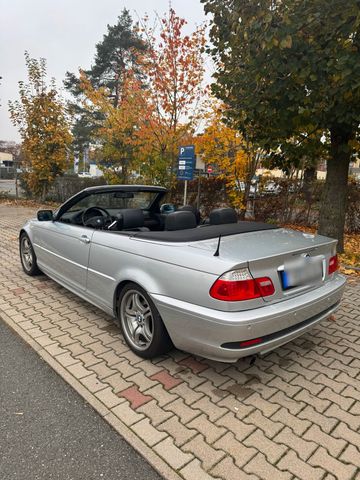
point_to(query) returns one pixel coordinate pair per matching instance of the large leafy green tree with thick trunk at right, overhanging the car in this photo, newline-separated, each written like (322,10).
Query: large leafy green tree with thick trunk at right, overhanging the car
(290,73)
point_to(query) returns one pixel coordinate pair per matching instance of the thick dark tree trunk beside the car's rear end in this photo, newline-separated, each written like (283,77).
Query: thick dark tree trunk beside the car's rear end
(334,199)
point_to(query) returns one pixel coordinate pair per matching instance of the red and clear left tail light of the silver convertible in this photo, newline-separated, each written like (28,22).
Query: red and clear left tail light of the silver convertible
(239,285)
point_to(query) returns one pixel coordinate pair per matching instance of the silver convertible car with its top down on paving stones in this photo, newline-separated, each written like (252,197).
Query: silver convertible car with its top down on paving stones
(222,290)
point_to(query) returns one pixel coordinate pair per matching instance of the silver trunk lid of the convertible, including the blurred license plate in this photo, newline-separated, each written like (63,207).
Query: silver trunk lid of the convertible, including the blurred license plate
(294,261)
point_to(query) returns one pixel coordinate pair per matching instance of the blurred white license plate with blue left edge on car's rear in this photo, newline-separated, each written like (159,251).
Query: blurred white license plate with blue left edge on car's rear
(302,271)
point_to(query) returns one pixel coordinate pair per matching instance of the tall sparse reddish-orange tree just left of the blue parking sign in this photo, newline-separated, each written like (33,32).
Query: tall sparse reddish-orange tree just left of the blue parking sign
(174,67)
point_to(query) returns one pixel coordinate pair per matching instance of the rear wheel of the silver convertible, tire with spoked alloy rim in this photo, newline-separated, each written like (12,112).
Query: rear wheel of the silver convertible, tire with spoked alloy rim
(141,324)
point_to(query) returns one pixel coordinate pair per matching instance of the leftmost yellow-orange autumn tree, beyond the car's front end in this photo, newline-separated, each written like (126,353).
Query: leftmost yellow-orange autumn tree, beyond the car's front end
(43,126)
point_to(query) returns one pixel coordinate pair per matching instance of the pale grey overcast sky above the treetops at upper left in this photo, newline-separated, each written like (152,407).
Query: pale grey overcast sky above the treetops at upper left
(65,33)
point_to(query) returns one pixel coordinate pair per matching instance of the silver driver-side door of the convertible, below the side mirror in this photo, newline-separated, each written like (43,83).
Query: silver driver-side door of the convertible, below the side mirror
(62,251)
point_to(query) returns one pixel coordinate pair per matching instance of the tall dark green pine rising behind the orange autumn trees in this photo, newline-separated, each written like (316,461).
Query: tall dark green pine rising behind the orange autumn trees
(115,54)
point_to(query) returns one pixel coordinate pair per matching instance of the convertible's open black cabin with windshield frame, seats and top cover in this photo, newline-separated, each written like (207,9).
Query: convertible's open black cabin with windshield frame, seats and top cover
(147,222)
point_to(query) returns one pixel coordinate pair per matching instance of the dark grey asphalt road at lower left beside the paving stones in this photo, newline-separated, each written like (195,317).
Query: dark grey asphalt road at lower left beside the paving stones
(48,432)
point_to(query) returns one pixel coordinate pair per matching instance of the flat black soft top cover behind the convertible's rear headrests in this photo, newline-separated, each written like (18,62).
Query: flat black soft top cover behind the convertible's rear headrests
(205,232)
